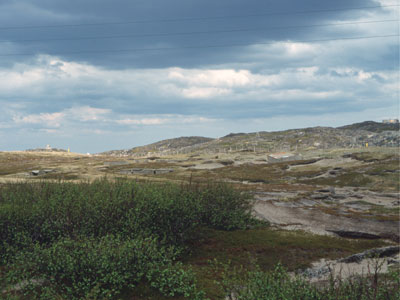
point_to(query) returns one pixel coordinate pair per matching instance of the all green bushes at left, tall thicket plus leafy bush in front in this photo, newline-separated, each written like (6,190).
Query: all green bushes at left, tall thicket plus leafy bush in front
(91,240)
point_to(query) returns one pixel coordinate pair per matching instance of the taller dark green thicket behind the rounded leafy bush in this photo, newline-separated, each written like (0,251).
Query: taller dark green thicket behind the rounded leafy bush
(46,212)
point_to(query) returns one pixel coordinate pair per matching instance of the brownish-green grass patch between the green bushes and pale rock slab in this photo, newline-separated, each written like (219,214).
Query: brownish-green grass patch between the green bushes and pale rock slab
(265,247)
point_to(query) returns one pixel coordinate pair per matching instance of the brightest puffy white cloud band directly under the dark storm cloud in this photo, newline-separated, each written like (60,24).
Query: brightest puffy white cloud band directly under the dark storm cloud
(55,80)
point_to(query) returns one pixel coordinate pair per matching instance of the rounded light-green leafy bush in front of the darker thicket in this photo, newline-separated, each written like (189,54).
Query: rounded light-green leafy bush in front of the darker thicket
(100,269)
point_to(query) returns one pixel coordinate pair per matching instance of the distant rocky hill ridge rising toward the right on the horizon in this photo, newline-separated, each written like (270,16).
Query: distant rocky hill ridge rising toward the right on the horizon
(351,136)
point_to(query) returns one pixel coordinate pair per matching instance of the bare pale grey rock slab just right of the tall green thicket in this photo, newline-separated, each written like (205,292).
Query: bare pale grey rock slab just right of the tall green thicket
(331,211)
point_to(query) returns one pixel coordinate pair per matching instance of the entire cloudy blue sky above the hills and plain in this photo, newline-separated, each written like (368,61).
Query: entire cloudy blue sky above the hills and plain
(97,75)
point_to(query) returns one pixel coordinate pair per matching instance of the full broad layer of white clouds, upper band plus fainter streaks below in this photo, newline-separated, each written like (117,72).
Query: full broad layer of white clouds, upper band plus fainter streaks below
(80,94)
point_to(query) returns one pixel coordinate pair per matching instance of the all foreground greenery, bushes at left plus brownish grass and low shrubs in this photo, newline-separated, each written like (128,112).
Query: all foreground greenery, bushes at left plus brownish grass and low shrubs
(127,240)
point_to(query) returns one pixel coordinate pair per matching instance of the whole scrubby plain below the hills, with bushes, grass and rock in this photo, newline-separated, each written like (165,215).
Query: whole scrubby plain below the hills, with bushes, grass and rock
(87,231)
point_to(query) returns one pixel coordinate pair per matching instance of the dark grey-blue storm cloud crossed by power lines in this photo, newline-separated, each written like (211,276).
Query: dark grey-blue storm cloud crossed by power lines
(39,13)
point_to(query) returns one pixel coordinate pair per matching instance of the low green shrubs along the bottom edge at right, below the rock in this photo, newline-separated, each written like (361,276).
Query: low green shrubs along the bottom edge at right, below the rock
(278,284)
